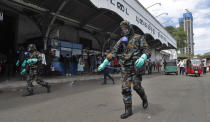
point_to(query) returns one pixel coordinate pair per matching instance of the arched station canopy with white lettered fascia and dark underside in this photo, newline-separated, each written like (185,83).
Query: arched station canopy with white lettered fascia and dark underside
(97,16)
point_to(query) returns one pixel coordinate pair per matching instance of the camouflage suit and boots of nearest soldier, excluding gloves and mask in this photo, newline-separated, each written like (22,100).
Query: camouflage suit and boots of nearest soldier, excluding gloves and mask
(131,51)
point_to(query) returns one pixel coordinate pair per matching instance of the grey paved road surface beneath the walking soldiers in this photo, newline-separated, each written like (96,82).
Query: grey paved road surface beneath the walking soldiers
(171,99)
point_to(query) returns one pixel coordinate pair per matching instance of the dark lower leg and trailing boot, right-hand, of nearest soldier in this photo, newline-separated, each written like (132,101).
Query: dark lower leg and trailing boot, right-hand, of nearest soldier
(141,93)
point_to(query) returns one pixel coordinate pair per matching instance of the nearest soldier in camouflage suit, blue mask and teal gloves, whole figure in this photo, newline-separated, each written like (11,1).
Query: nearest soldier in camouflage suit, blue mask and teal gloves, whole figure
(135,53)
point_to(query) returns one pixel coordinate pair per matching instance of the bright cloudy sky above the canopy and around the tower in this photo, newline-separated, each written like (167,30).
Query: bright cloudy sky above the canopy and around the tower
(175,8)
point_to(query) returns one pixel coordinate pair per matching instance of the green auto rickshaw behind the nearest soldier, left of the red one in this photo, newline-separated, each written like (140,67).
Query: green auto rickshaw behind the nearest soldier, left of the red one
(170,67)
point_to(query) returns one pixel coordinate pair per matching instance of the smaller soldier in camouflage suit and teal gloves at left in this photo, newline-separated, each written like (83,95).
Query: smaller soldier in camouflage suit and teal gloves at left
(32,70)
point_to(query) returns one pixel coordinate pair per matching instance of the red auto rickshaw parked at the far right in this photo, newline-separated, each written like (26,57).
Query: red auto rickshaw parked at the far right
(194,67)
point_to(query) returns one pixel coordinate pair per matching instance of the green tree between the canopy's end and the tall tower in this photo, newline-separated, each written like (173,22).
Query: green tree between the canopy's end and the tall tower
(179,35)
